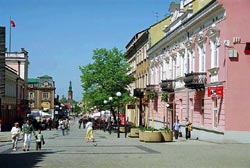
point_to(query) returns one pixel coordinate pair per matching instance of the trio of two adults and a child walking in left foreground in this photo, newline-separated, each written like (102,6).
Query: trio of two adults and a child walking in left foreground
(26,132)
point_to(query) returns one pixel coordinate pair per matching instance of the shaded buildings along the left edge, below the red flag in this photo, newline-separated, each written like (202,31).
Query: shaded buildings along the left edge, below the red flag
(13,84)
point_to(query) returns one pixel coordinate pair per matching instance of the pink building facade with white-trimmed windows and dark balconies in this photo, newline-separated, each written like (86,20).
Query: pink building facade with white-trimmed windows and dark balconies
(201,63)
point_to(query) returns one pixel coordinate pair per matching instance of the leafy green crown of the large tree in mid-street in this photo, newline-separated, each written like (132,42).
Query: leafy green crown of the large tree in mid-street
(105,76)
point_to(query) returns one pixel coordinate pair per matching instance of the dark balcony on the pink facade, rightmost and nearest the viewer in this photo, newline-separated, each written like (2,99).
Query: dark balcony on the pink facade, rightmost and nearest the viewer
(195,80)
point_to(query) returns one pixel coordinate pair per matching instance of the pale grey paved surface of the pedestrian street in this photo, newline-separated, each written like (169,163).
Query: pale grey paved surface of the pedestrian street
(71,151)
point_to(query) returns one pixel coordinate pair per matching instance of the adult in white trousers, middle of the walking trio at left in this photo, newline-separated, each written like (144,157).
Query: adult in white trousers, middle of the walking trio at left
(27,129)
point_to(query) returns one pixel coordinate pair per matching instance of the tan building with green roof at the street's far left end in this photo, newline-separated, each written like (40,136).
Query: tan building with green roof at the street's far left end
(41,93)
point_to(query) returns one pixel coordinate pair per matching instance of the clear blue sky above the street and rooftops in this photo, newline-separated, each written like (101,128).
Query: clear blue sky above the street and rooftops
(60,35)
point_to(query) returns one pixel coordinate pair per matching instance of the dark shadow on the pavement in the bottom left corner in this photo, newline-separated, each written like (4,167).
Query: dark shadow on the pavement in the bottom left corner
(22,160)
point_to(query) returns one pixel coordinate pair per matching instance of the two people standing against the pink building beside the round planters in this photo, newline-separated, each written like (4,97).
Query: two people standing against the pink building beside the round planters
(177,131)
